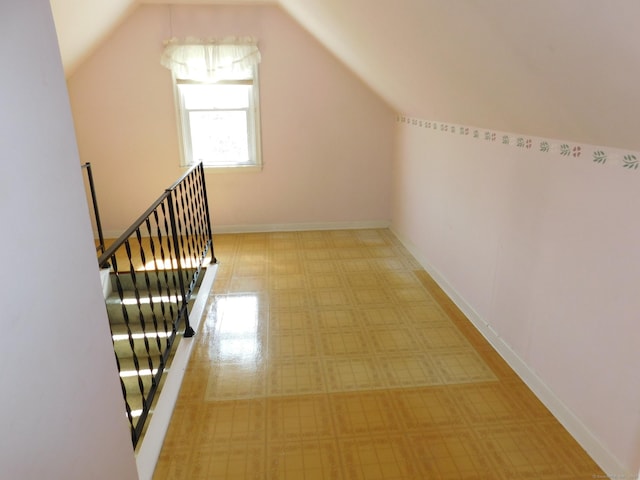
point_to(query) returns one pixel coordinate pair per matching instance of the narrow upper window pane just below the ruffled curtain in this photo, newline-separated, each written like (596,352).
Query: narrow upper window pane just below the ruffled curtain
(209,97)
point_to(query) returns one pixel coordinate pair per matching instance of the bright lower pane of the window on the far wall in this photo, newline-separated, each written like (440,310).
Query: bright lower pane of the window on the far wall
(219,137)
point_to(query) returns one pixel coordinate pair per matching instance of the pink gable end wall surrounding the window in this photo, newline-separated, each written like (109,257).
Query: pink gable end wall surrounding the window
(327,140)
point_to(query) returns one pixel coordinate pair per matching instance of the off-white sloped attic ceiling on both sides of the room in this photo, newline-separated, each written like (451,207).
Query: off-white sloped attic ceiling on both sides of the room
(559,69)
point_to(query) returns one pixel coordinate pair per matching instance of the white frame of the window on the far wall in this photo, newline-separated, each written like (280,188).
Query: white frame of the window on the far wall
(253,125)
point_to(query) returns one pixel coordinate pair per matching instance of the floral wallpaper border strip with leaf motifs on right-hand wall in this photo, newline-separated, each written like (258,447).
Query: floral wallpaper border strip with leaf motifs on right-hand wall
(598,155)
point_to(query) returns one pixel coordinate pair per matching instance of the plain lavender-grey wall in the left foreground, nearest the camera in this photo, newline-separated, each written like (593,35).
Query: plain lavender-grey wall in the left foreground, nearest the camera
(62,414)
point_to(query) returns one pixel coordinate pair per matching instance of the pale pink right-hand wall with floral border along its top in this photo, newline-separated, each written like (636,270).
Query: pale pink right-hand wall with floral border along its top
(540,250)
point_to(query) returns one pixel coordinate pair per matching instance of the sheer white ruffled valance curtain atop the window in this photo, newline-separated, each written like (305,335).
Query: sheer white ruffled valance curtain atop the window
(212,60)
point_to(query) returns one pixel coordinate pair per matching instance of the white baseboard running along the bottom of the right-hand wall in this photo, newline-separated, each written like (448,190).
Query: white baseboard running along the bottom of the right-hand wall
(607,461)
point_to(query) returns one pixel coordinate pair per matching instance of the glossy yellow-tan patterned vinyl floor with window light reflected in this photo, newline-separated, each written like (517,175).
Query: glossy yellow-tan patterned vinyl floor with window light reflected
(333,355)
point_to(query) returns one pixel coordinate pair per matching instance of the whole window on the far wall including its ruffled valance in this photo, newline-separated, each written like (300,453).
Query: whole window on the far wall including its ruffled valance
(217,99)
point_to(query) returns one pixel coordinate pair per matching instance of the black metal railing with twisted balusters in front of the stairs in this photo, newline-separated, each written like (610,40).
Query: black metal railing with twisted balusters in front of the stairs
(155,268)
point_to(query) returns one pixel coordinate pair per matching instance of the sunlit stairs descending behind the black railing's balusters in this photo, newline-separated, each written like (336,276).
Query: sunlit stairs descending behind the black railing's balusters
(156,306)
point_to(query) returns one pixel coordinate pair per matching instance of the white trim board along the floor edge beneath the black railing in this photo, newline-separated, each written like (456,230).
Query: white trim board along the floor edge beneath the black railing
(149,450)
